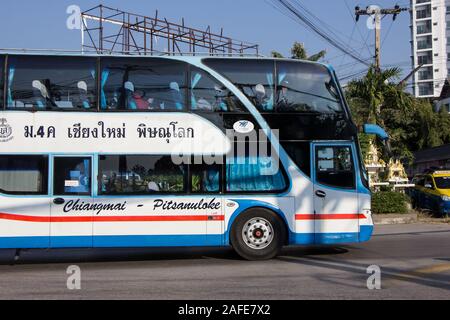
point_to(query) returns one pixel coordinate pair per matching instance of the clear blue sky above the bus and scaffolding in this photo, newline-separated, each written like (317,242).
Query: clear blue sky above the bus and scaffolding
(41,24)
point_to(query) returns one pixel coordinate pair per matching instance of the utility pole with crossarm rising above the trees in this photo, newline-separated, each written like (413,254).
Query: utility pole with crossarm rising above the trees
(377,12)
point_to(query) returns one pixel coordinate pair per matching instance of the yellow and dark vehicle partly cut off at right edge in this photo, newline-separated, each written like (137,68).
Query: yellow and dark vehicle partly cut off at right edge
(432,192)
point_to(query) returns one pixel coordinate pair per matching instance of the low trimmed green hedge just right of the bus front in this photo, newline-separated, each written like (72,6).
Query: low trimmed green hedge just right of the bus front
(389,202)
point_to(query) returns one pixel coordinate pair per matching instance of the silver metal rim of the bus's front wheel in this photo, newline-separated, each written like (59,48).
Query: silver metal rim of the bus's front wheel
(257,233)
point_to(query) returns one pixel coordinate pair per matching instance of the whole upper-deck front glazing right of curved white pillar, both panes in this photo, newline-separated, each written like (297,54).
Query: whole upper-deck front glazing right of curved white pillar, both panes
(282,86)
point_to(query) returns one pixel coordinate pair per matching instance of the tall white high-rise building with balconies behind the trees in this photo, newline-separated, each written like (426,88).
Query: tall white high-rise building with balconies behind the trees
(430,46)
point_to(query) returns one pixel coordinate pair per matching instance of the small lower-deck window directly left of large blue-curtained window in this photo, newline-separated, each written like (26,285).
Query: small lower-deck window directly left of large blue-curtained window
(205,178)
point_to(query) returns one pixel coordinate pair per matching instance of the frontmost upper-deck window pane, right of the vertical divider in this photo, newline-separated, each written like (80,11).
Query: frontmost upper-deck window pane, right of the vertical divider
(304,87)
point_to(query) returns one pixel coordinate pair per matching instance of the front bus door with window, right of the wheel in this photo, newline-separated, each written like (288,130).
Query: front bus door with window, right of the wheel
(335,194)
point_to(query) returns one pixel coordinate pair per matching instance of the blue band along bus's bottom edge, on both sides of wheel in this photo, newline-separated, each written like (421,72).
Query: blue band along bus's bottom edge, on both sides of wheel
(169,240)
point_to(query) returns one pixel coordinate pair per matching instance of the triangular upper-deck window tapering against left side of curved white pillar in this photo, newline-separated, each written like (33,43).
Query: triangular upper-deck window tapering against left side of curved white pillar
(208,94)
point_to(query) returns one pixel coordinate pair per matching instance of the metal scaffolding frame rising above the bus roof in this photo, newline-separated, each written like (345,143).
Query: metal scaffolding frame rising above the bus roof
(108,30)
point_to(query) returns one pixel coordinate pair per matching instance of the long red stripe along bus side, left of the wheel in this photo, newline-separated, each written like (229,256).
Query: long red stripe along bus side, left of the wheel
(15,217)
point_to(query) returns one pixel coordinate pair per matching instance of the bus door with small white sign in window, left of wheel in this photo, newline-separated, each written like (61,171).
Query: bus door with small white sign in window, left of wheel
(71,207)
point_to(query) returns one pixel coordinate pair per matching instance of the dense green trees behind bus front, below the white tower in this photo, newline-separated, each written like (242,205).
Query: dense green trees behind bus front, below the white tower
(411,123)
